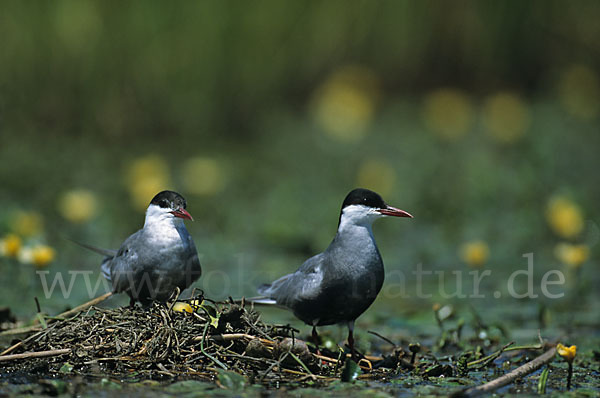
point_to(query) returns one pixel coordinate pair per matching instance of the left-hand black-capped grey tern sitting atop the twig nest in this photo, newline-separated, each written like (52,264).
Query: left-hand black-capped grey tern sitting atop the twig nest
(157,259)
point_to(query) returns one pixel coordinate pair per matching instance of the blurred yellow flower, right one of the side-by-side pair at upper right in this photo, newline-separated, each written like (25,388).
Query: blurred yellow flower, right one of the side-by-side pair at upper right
(506,117)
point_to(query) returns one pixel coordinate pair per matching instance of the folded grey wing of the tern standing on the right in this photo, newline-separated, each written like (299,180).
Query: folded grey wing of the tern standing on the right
(303,284)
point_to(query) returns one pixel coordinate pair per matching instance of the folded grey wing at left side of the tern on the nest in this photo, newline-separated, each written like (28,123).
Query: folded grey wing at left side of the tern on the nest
(121,268)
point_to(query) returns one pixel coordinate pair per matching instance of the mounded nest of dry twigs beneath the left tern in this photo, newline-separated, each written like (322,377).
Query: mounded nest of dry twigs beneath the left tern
(160,343)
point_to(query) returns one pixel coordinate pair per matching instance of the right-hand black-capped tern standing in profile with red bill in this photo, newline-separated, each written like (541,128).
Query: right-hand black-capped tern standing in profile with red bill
(339,284)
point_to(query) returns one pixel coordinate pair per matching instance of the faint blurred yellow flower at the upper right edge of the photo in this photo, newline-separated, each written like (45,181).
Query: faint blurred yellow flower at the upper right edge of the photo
(580,92)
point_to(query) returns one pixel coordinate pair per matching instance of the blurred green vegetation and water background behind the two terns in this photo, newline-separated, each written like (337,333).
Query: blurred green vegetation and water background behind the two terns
(289,105)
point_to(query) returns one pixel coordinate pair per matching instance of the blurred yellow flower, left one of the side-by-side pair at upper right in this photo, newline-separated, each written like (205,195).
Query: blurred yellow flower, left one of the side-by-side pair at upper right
(448,113)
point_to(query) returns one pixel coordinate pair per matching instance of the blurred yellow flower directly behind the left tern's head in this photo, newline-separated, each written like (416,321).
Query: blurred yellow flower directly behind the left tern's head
(146,177)
